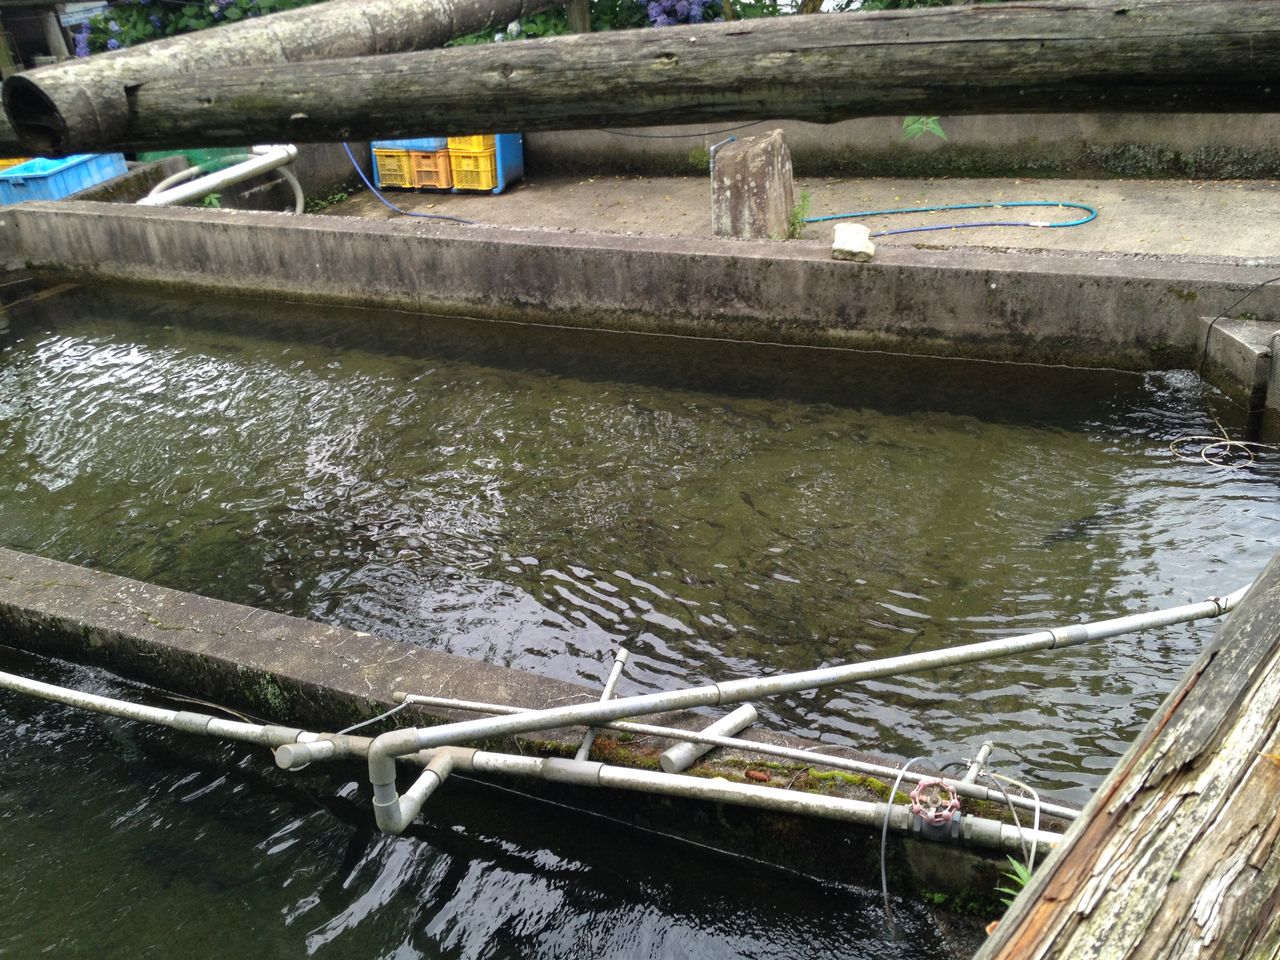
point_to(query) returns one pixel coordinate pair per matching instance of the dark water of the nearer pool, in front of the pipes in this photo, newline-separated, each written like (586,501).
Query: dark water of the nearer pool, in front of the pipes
(124,842)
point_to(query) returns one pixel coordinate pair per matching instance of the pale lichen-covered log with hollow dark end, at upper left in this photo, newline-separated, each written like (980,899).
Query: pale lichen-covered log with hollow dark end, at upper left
(81,106)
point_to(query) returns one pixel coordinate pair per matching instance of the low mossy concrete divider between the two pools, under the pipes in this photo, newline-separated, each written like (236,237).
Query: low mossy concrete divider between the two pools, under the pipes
(304,674)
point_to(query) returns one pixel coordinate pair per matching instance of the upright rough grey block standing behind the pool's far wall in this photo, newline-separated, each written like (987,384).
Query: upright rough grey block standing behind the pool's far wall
(752,189)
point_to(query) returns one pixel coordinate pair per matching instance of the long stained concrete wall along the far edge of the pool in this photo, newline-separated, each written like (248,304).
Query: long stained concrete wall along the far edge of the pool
(1068,309)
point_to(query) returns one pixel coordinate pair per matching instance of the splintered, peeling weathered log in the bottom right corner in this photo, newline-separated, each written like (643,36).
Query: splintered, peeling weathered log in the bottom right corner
(1180,854)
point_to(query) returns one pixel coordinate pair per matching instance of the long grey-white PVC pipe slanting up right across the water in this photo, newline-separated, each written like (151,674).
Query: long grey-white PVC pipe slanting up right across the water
(406,742)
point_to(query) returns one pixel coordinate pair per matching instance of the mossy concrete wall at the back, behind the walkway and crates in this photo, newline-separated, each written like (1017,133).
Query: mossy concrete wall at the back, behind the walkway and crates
(1215,147)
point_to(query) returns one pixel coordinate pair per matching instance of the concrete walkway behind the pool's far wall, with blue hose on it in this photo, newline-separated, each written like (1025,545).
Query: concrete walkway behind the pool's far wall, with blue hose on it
(1201,221)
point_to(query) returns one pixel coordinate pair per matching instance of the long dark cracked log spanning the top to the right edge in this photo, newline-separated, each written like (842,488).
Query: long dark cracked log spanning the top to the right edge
(1073,56)
